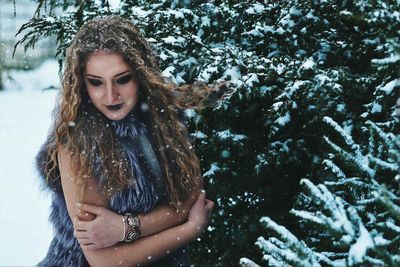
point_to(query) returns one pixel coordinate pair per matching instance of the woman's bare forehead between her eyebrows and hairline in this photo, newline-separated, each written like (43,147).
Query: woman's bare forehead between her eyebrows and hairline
(102,63)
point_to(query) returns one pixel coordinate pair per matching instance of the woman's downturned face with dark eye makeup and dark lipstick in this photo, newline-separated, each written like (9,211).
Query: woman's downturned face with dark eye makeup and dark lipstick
(110,84)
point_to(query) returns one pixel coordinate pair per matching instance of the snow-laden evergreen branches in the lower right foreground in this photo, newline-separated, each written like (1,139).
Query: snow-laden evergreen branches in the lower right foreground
(358,224)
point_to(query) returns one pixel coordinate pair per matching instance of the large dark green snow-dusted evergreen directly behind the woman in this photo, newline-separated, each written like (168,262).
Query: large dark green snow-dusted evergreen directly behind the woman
(290,67)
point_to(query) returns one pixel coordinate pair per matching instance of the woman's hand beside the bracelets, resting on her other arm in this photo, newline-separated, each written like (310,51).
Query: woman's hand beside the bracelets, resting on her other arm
(104,231)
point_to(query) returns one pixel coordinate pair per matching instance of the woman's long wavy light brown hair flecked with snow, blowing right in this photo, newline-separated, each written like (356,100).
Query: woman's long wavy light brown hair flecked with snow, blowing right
(86,133)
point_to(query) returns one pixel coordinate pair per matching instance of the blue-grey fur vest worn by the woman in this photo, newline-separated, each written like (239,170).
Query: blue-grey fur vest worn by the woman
(141,196)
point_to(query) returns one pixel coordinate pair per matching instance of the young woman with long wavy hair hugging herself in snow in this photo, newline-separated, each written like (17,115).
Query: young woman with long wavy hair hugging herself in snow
(125,180)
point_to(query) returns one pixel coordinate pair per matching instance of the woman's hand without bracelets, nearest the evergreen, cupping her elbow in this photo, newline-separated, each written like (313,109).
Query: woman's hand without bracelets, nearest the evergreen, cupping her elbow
(200,214)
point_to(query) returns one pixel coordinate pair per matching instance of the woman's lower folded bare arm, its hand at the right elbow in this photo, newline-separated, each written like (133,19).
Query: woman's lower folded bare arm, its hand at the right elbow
(142,251)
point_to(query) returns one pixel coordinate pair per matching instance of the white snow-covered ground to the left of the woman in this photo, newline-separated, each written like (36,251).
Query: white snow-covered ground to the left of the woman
(25,115)
